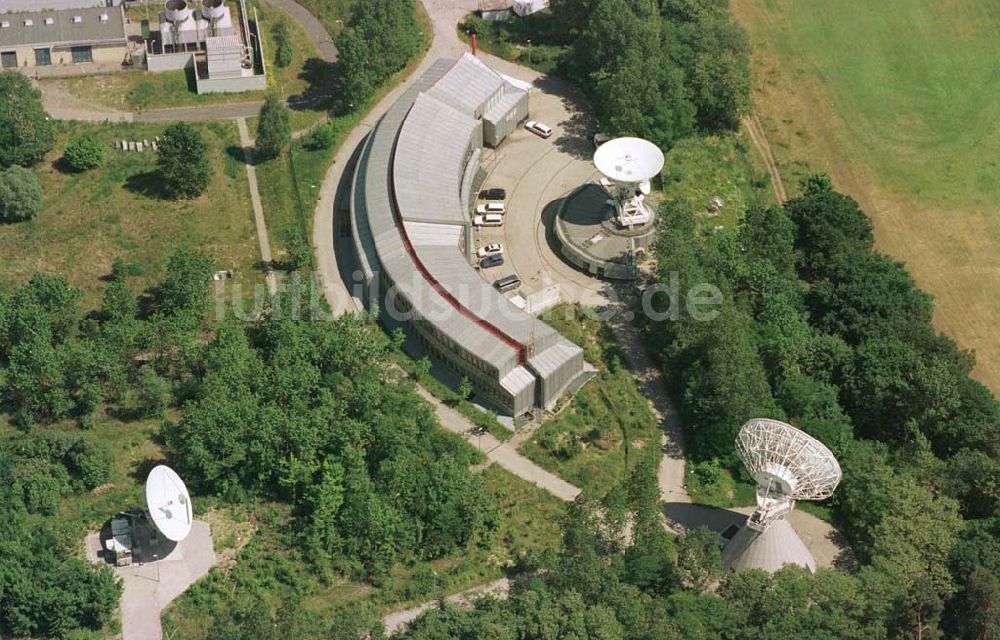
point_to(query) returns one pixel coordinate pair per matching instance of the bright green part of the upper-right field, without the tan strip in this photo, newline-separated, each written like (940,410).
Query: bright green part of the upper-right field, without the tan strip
(916,82)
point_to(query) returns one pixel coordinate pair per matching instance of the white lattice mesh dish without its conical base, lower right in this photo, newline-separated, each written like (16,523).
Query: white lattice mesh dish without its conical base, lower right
(788,465)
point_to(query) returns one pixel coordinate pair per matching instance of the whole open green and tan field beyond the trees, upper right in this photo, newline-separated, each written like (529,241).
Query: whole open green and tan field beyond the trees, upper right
(897,101)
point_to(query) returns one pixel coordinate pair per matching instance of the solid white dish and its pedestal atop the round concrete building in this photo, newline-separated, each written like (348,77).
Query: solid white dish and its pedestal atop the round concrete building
(629,163)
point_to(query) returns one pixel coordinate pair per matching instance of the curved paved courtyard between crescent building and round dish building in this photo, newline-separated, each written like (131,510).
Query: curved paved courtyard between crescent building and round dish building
(536,173)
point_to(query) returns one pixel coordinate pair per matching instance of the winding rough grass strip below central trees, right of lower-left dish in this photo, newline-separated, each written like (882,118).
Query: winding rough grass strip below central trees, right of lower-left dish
(271,566)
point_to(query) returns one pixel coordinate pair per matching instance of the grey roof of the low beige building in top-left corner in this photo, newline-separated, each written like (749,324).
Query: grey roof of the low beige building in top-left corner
(64,30)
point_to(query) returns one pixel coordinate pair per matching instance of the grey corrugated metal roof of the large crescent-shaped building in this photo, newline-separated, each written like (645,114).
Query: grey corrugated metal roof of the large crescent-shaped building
(427,161)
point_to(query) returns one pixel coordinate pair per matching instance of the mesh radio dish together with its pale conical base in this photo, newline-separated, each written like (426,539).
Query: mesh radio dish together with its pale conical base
(788,465)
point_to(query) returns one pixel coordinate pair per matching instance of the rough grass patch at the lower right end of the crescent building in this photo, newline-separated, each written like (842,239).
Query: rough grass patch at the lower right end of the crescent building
(608,424)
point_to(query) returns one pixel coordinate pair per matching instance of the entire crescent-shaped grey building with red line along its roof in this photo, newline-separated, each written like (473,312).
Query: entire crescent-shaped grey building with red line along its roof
(412,192)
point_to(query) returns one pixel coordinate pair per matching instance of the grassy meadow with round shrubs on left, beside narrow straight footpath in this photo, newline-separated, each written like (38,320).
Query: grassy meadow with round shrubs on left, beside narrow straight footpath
(91,218)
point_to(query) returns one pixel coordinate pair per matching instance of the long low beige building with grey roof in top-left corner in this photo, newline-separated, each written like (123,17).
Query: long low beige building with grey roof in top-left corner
(62,37)
